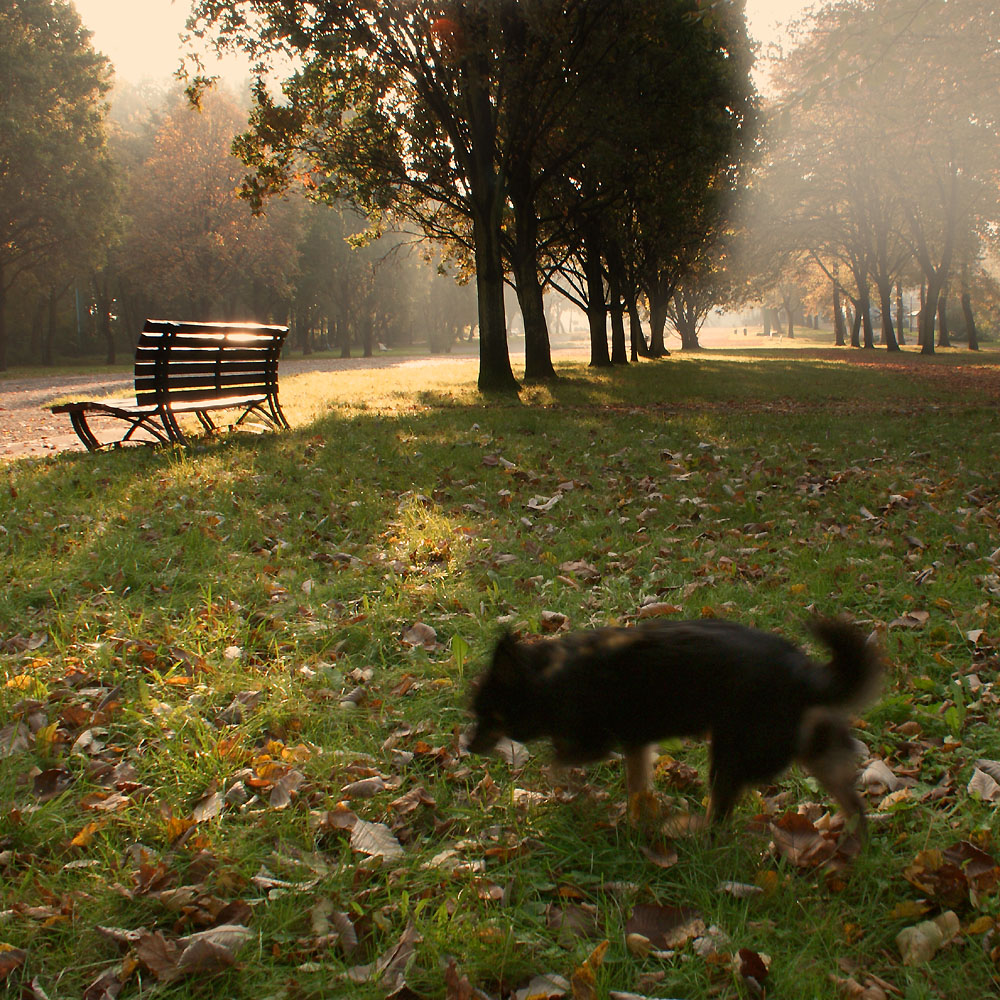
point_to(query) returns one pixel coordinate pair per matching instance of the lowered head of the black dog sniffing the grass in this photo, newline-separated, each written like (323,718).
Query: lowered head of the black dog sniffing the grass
(501,700)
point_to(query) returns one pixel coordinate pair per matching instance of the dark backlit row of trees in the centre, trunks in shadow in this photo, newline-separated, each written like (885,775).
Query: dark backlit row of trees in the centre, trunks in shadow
(591,145)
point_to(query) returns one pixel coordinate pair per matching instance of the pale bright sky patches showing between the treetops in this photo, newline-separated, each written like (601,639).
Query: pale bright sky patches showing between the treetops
(141,36)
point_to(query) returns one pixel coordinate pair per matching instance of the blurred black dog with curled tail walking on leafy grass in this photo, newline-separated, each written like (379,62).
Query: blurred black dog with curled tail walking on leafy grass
(764,702)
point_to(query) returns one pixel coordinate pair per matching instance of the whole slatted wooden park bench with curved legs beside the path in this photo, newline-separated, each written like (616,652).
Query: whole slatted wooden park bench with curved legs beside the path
(190,368)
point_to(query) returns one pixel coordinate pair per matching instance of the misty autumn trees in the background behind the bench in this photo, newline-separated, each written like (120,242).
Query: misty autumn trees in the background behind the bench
(112,215)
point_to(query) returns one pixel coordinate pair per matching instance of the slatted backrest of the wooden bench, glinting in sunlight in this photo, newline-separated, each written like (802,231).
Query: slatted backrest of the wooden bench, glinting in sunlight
(177,362)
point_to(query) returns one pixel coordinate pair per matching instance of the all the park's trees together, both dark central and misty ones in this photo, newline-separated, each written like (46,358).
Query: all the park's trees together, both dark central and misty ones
(591,149)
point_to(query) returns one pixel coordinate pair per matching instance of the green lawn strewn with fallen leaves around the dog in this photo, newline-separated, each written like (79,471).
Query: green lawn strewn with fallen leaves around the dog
(211,681)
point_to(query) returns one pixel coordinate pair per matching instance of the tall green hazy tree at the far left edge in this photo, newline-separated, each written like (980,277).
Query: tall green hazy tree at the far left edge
(56,187)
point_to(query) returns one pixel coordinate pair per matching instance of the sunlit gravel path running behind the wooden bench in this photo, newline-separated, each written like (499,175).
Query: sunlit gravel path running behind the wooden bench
(27,428)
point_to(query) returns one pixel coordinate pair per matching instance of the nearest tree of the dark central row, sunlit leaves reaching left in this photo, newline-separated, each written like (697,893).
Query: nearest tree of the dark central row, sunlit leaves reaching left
(399,103)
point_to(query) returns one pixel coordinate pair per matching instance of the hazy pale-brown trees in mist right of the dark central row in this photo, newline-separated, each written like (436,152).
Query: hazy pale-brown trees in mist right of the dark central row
(882,167)
